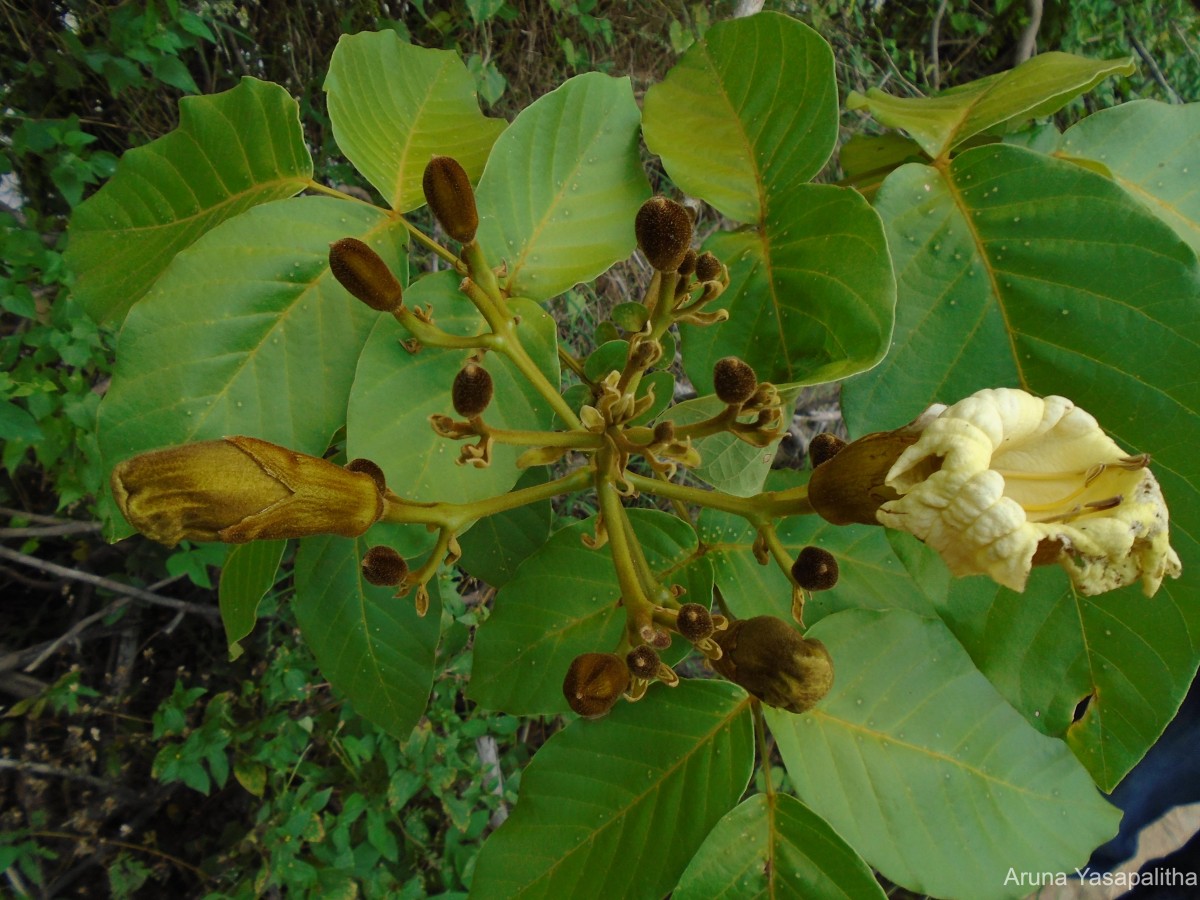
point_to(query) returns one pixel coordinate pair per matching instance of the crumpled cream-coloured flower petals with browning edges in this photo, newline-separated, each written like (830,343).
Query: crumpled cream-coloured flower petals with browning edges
(1004,481)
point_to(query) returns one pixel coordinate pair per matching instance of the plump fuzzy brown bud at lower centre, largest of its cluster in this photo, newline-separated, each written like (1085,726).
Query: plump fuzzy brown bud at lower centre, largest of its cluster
(775,663)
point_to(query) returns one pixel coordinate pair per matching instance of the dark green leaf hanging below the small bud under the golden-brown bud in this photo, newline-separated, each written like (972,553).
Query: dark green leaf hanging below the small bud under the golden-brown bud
(371,646)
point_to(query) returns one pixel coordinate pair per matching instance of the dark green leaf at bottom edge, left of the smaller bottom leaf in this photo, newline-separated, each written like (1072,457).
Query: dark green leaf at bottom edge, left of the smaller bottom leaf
(617,807)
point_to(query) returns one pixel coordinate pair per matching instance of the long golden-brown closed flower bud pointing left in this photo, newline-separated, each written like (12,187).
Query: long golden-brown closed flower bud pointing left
(242,489)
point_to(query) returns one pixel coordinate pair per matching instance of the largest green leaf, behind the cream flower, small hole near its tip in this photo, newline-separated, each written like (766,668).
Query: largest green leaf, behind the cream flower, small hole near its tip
(1017,269)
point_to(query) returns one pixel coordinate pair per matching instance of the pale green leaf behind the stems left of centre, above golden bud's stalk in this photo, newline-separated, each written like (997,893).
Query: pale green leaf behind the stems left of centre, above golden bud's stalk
(395,393)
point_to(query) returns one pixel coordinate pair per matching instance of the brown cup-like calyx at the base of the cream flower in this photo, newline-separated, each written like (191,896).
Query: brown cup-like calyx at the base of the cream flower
(850,487)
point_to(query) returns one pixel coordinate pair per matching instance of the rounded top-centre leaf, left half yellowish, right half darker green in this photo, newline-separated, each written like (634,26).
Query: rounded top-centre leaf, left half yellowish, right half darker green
(751,110)
